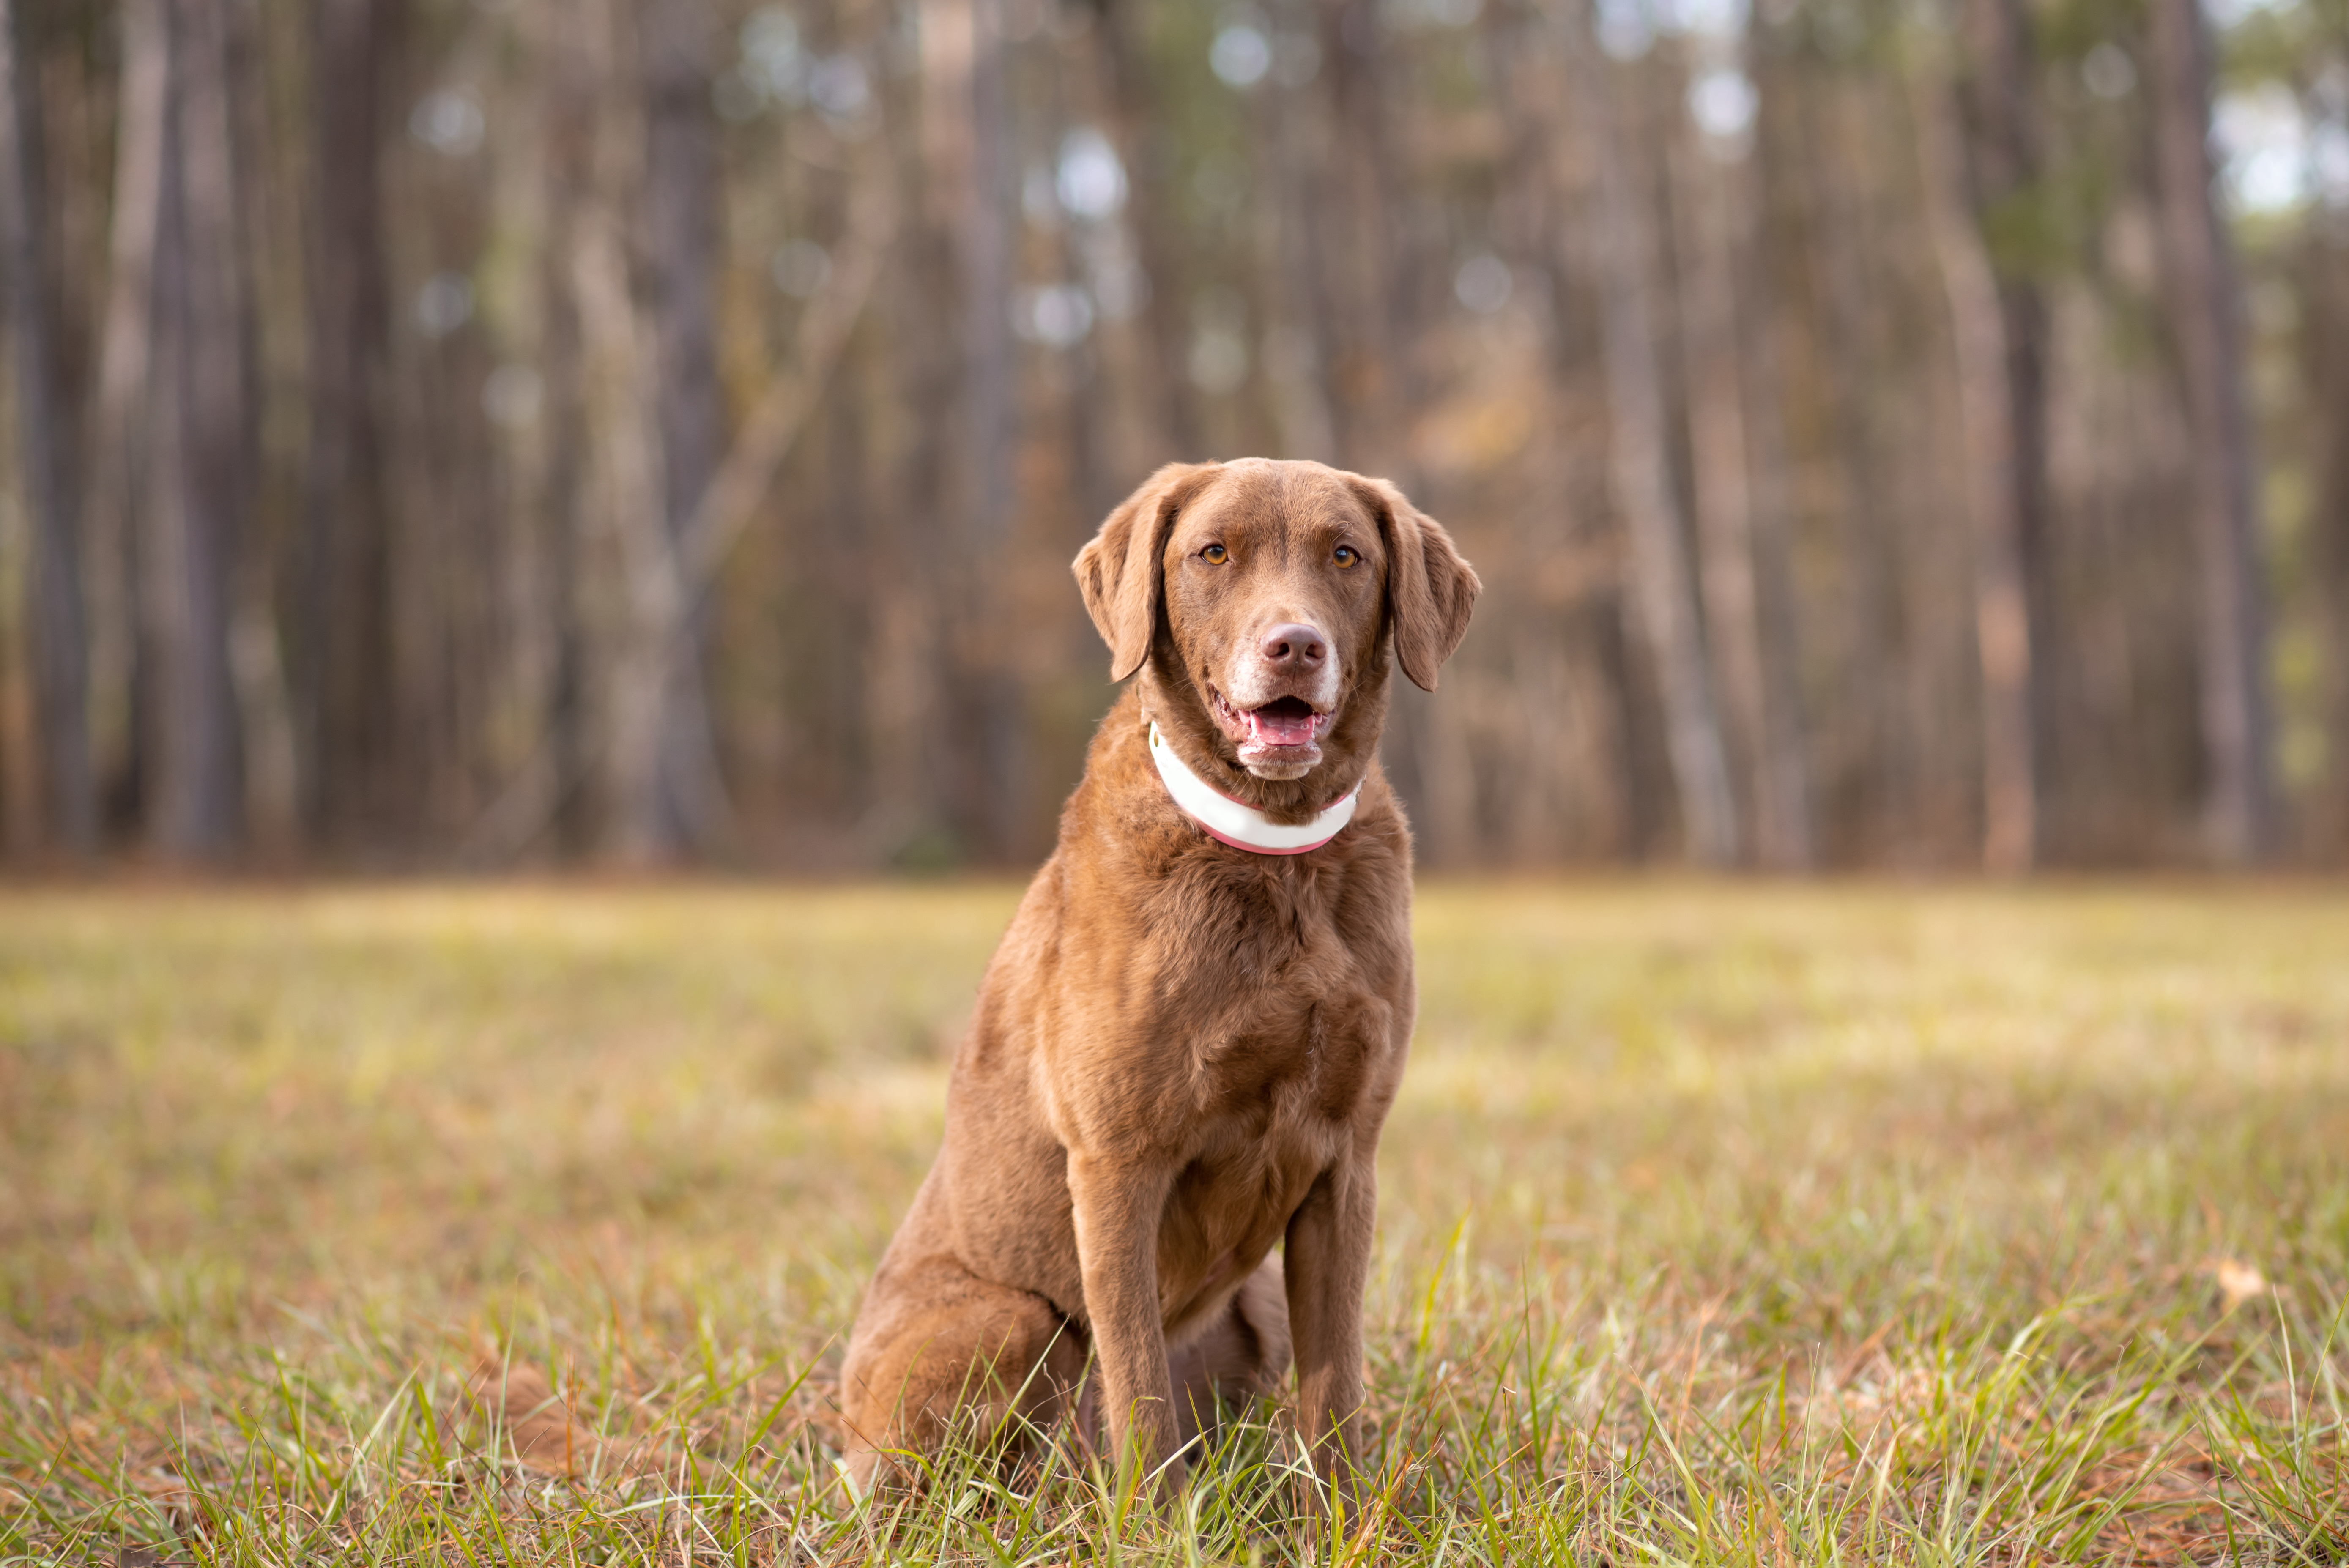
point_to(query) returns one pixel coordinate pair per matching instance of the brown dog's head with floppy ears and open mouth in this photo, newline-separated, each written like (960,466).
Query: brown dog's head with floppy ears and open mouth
(1265,600)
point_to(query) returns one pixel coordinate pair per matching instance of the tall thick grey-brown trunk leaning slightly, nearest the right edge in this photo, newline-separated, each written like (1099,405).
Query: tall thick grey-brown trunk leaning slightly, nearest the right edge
(2197,271)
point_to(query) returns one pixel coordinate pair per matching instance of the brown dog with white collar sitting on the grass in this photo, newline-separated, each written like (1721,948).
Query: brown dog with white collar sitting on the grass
(1194,1029)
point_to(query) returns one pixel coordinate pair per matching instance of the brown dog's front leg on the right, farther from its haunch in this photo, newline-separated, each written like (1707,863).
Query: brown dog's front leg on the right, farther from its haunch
(1328,1266)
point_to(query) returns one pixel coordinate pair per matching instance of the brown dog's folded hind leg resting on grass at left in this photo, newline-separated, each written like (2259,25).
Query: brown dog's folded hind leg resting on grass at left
(941,1356)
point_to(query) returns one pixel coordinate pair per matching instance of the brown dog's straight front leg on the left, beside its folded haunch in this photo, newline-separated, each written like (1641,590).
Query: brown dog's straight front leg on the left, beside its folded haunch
(1119,1208)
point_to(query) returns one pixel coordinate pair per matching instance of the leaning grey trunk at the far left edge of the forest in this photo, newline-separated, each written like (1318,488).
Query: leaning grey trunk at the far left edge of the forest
(46,457)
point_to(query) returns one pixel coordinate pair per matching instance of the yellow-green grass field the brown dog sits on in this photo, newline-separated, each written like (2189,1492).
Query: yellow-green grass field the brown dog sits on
(1718,1226)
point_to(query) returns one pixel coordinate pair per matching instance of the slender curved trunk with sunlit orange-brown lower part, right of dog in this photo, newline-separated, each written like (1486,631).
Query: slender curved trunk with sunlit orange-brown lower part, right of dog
(1995,499)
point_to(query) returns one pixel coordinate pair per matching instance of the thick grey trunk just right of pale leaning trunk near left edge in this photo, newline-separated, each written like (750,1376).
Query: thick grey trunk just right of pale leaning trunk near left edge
(198,435)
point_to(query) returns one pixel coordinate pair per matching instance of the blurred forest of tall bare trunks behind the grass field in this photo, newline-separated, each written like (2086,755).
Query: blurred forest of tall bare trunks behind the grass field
(1894,433)
